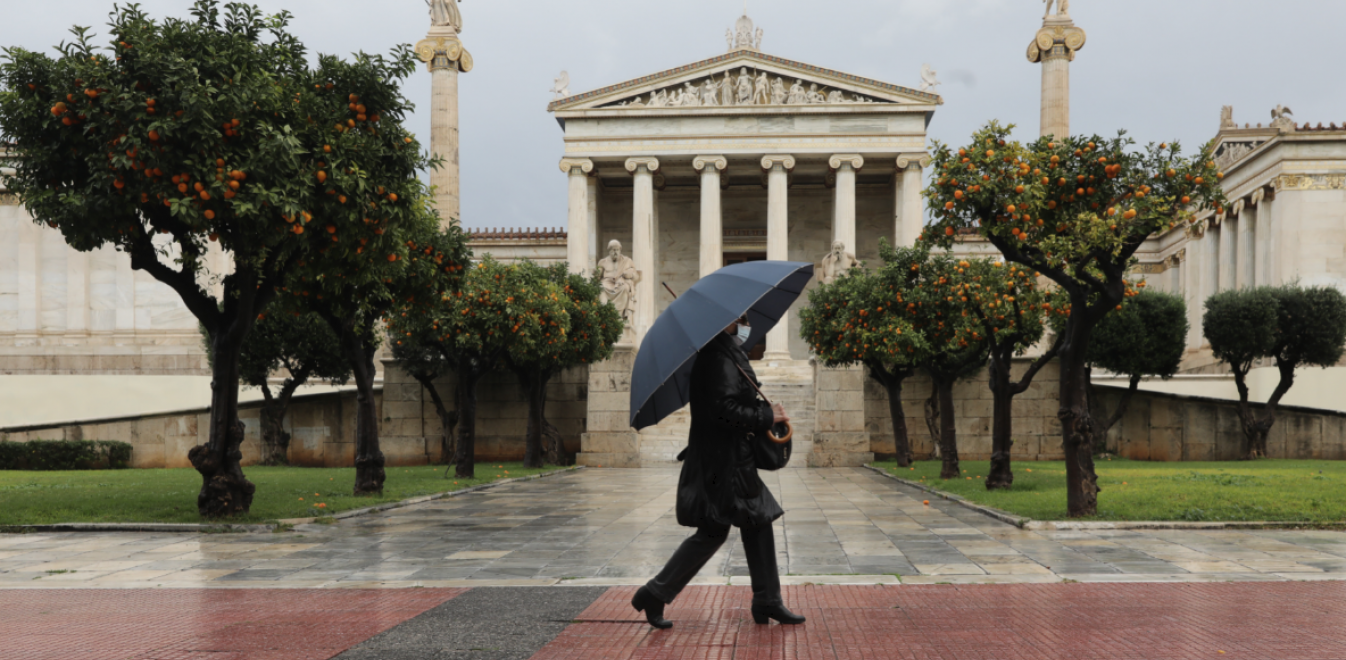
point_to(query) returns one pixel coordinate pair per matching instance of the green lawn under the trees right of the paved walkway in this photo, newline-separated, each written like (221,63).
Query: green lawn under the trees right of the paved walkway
(1273,491)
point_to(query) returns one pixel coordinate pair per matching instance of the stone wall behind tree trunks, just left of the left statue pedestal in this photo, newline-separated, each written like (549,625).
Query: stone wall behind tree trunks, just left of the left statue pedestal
(413,430)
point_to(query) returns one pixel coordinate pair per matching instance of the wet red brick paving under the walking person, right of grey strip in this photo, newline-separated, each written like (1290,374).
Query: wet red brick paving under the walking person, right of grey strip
(1096,622)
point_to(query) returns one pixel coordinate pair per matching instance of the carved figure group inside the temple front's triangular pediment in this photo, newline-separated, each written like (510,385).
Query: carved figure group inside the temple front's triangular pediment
(746,87)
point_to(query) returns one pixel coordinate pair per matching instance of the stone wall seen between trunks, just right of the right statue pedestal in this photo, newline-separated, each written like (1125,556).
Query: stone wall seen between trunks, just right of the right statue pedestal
(1037,432)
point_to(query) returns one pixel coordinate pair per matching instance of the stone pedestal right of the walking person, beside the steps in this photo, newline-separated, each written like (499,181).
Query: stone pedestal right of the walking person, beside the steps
(841,438)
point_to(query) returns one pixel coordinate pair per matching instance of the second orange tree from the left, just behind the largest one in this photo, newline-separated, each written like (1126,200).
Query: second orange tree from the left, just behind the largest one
(353,285)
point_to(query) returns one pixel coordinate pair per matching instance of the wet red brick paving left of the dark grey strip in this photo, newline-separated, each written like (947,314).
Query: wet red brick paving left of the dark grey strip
(199,624)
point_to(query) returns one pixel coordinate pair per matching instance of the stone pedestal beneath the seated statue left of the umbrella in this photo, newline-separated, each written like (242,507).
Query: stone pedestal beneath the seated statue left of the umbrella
(609,440)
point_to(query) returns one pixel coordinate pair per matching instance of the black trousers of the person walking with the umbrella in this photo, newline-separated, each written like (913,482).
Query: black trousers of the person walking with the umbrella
(758,545)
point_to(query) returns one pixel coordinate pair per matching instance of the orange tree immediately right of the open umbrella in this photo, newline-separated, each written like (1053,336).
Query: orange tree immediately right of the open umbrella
(861,319)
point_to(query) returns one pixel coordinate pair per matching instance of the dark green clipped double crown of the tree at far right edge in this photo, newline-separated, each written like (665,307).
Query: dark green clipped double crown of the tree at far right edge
(1298,327)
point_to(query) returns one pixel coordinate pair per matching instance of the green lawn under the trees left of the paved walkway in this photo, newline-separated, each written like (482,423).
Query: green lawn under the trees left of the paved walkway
(170,496)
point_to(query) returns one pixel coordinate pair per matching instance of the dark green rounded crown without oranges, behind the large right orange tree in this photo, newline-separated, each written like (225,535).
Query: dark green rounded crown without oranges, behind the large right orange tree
(1147,337)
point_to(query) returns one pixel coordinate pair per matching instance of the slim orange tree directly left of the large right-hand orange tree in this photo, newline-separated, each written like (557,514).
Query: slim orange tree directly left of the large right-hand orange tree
(1010,310)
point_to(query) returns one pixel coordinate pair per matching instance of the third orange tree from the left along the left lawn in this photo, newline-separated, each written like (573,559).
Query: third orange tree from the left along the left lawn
(493,310)
